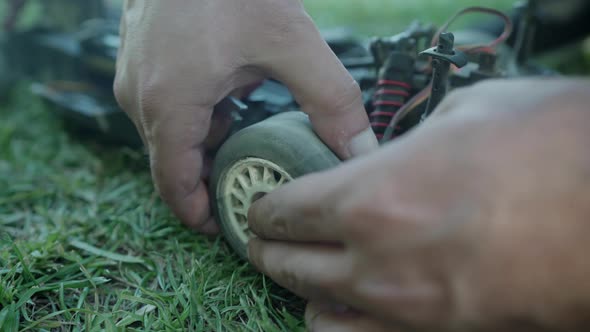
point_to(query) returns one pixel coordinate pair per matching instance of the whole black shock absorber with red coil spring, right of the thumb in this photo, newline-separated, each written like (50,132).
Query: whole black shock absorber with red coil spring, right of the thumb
(394,86)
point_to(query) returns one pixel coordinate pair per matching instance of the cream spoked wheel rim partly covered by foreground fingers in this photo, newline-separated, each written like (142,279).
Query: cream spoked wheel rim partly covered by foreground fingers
(242,184)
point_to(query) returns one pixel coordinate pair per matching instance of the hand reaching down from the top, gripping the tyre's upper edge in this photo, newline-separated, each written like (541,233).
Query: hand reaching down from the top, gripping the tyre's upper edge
(179,58)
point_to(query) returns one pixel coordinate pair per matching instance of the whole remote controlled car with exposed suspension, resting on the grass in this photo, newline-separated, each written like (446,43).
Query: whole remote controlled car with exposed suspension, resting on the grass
(403,78)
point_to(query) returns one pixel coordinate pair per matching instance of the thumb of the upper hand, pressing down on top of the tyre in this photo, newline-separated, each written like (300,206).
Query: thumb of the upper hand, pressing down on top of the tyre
(324,89)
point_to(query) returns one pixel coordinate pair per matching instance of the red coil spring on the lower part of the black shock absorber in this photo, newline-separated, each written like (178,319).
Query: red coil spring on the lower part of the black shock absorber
(389,97)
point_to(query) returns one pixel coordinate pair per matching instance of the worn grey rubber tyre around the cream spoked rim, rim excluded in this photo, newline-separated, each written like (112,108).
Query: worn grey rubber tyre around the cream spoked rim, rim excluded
(287,140)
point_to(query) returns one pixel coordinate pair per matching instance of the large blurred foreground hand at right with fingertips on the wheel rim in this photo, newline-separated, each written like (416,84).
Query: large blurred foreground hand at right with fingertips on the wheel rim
(475,221)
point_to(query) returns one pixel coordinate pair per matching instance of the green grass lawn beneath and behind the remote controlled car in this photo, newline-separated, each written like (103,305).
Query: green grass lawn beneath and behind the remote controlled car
(86,245)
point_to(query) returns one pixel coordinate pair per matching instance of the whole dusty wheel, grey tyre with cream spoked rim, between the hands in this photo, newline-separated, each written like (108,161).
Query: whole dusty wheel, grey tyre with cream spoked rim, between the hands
(258,159)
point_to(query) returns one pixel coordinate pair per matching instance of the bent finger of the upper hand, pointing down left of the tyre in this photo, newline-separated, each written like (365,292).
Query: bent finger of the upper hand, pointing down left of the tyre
(176,156)
